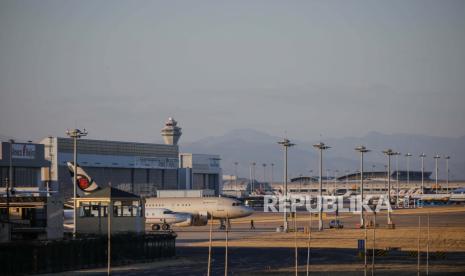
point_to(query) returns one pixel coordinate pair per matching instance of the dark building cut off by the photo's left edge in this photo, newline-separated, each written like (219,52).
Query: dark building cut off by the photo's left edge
(27,210)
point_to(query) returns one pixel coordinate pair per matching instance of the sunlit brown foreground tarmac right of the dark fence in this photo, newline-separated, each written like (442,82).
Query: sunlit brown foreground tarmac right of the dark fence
(263,251)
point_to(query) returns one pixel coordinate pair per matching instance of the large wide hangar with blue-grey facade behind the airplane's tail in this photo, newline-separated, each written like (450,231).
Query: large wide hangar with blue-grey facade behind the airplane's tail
(140,168)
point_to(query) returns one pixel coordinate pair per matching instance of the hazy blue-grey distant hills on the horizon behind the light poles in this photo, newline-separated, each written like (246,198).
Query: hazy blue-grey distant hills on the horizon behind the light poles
(248,145)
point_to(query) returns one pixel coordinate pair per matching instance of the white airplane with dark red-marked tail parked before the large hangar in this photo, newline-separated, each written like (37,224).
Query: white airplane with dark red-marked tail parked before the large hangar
(177,211)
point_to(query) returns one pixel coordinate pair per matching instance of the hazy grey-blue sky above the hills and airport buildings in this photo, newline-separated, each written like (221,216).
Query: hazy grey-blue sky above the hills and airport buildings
(336,68)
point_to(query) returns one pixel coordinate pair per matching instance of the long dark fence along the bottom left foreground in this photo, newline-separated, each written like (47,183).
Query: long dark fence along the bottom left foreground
(55,256)
